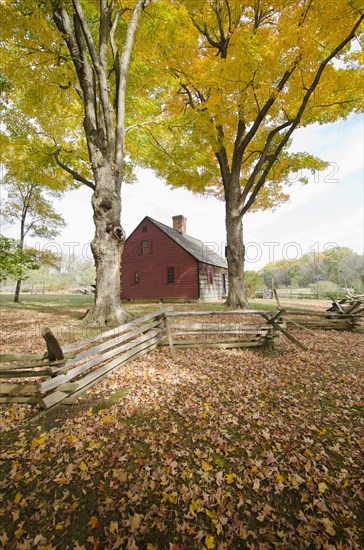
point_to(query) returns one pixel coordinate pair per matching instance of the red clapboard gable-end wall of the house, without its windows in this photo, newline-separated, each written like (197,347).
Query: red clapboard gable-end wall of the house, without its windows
(152,267)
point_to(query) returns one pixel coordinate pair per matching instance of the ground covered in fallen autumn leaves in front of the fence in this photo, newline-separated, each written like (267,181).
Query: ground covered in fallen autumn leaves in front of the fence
(221,449)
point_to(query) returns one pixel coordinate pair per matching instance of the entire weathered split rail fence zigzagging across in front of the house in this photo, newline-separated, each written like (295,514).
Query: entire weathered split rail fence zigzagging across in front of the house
(65,373)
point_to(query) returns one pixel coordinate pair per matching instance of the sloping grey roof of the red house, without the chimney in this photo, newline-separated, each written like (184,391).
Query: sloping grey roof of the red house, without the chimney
(199,250)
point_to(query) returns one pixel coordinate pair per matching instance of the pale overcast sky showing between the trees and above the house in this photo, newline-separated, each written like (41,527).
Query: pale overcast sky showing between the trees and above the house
(327,211)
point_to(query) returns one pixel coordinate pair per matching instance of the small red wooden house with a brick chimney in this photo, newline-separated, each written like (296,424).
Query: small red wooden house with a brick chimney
(161,262)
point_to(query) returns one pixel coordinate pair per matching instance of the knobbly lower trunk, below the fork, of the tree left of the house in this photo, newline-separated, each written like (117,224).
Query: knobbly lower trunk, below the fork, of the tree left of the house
(107,247)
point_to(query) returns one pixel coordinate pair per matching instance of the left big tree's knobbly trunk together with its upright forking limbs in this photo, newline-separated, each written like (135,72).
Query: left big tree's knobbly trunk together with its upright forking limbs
(104,125)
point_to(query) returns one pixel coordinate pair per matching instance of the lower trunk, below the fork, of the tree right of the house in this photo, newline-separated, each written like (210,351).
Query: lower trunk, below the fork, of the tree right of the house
(235,257)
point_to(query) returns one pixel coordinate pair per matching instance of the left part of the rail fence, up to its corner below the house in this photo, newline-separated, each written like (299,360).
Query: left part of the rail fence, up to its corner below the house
(67,372)
